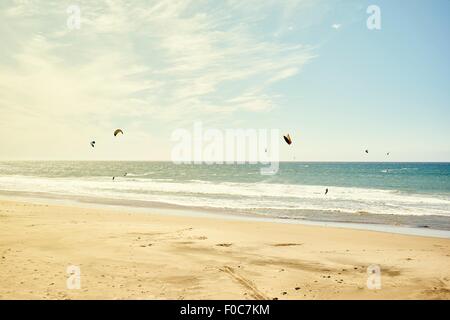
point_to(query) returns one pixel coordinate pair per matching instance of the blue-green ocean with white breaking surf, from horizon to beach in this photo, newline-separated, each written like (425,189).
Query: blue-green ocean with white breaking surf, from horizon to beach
(395,194)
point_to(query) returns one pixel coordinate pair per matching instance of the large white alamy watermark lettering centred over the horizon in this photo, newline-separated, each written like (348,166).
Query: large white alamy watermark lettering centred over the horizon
(229,146)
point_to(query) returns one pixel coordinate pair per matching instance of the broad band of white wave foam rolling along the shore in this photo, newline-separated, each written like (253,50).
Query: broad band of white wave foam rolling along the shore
(249,196)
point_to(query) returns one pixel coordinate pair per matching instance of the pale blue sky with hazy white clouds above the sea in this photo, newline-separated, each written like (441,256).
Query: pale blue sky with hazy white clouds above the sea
(310,68)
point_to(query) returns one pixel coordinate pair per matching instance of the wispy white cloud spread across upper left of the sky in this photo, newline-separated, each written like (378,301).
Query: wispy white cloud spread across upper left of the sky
(134,60)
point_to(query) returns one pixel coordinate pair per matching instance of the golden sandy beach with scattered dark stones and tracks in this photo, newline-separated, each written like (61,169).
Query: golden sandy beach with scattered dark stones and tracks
(129,255)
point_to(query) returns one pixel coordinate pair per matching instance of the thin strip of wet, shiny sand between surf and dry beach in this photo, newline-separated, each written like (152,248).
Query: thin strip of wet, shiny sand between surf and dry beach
(179,210)
